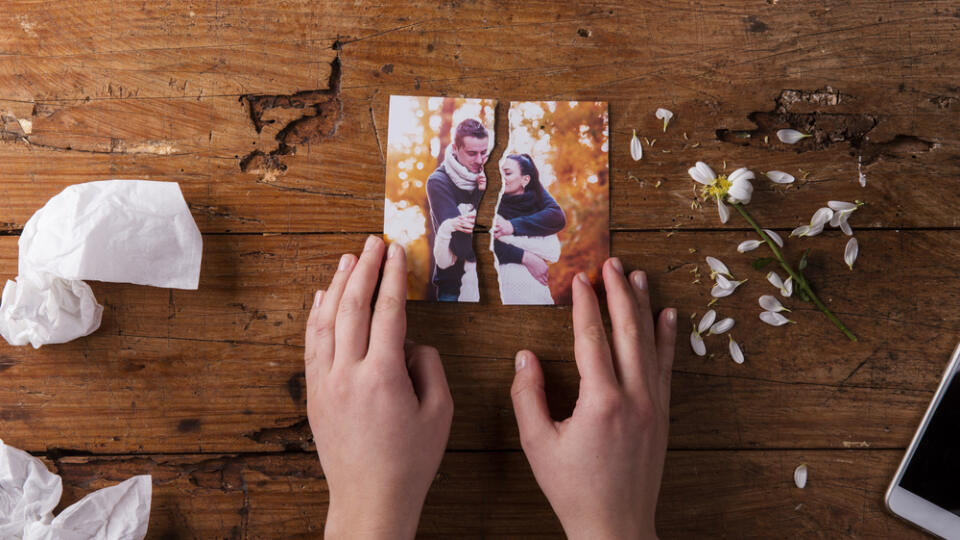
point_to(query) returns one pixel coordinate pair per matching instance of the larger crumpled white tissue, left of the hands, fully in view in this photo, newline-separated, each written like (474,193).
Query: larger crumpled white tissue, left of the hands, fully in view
(123,231)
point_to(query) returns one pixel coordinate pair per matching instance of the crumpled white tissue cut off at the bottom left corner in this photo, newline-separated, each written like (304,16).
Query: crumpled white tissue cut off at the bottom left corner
(29,493)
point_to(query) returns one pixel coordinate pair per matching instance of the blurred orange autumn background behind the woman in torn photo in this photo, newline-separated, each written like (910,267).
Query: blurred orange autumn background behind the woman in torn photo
(569,142)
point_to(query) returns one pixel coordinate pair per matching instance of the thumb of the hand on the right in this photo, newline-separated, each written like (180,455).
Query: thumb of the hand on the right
(530,401)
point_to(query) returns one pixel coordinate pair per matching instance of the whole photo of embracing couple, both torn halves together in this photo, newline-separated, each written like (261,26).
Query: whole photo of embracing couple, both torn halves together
(555,168)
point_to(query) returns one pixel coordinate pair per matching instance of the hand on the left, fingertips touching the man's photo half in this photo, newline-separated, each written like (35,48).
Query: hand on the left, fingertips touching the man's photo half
(380,409)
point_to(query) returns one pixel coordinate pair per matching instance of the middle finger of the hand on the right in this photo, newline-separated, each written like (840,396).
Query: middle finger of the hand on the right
(631,340)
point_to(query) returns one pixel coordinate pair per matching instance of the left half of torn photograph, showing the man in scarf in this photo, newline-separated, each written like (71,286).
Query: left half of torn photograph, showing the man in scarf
(436,150)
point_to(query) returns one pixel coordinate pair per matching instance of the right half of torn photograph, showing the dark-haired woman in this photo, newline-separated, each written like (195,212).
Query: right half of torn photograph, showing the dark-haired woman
(553,214)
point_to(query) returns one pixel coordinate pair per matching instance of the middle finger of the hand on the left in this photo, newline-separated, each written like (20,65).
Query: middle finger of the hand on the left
(353,315)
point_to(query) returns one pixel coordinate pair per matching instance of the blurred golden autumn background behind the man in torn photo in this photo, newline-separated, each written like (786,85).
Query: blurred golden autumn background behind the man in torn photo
(419,131)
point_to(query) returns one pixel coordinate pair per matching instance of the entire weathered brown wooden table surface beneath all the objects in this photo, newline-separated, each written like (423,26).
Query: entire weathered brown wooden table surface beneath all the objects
(272,116)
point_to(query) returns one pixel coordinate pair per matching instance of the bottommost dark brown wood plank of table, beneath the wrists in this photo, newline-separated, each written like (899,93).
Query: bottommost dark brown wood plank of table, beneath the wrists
(481,495)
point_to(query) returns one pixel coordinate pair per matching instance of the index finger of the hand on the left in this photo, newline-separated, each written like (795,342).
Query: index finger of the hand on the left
(388,327)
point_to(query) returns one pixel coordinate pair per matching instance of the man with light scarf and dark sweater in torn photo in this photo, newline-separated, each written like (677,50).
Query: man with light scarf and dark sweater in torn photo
(454,191)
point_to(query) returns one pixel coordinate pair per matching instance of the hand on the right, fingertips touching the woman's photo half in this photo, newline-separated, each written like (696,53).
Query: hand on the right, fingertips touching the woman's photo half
(601,468)
